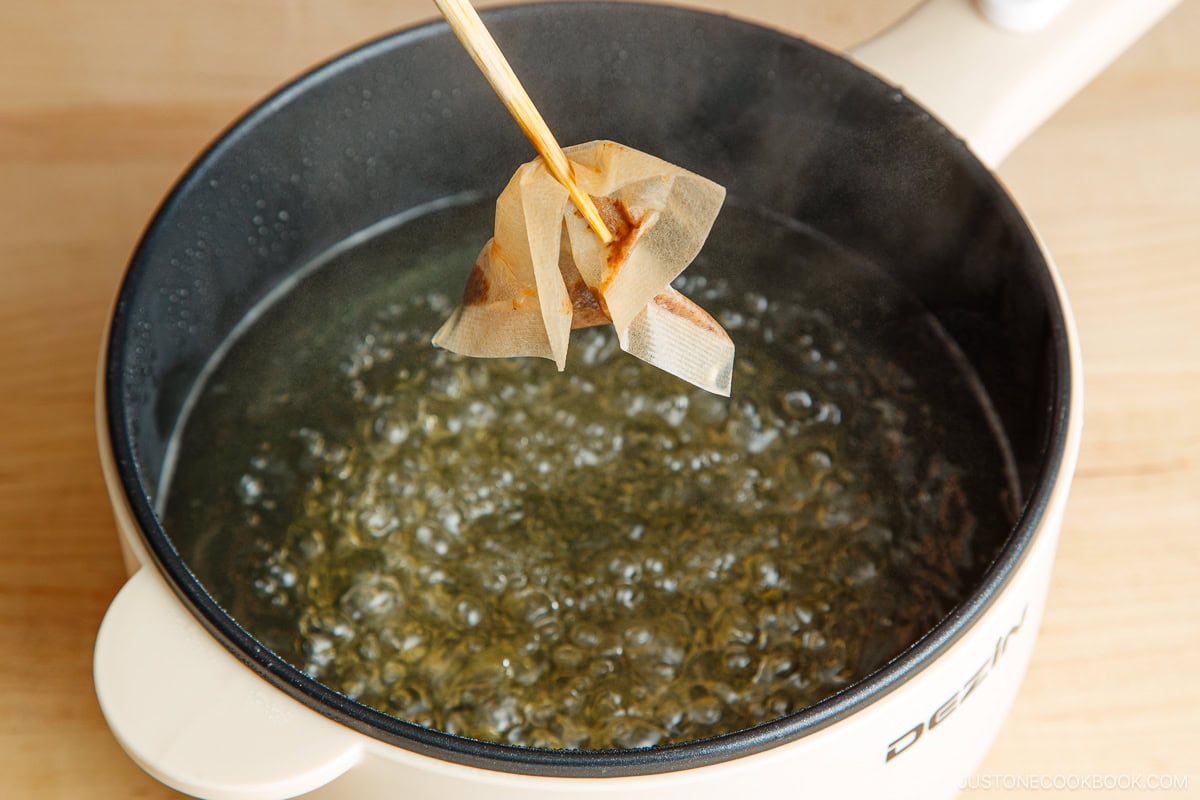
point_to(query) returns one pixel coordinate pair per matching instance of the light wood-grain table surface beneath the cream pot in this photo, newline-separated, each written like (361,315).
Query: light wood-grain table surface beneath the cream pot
(104,104)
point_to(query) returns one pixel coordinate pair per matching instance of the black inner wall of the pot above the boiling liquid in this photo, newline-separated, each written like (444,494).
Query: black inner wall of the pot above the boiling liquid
(407,121)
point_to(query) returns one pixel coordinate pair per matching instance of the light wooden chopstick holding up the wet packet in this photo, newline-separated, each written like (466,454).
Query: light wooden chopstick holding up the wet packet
(470,29)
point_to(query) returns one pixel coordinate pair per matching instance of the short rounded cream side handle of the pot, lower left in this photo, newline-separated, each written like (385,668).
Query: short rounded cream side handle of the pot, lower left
(197,719)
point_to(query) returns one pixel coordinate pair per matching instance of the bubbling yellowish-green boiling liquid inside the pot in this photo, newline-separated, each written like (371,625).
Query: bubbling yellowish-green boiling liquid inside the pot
(599,558)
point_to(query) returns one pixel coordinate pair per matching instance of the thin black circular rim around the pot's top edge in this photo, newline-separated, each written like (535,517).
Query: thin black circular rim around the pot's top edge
(567,763)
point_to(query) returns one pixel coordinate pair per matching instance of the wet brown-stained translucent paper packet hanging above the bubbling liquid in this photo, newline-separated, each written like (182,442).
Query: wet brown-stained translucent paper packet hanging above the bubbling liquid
(547,273)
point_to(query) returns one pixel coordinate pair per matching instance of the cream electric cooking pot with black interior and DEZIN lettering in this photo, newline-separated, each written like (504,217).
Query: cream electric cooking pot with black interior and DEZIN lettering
(785,125)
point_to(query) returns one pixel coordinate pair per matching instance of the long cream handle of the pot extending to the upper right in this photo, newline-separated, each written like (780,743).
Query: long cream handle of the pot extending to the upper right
(995,87)
